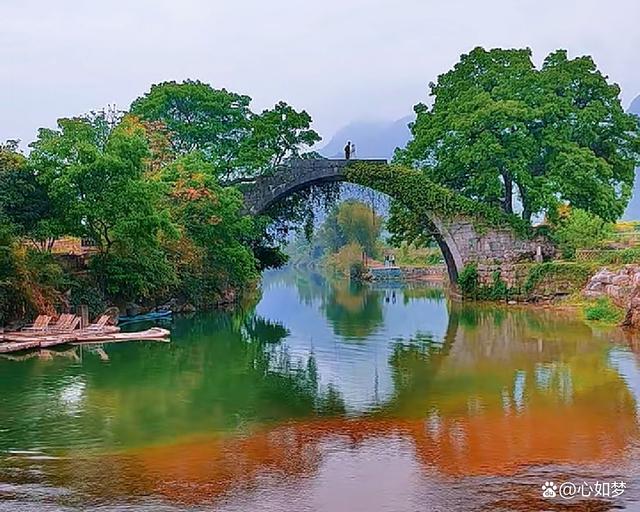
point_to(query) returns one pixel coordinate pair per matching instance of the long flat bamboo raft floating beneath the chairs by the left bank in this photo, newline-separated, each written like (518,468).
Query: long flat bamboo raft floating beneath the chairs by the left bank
(19,341)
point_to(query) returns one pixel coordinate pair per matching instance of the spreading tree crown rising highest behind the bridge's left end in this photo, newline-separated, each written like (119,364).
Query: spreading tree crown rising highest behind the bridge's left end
(221,126)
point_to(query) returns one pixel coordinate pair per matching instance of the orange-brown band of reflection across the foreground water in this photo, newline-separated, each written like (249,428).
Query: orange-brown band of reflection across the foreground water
(489,443)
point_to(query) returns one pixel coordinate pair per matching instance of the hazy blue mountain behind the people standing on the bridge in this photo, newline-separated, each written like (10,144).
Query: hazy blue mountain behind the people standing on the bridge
(372,139)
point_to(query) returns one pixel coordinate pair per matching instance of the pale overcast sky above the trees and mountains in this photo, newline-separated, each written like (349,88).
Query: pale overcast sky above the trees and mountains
(341,60)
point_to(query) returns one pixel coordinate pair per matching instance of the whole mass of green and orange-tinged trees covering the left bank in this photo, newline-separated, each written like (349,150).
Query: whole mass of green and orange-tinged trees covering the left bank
(146,188)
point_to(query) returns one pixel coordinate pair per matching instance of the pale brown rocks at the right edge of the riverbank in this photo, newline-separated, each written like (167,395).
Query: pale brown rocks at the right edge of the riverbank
(622,286)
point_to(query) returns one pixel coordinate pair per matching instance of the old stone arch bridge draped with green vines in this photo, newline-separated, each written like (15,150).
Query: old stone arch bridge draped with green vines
(466,231)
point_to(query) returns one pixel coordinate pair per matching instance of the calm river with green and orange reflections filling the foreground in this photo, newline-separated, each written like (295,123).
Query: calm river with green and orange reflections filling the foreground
(328,396)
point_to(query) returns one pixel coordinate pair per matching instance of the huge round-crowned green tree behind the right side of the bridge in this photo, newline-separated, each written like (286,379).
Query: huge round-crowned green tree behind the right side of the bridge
(505,132)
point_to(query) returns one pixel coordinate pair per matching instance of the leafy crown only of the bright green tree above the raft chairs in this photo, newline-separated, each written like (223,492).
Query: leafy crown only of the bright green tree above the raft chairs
(96,181)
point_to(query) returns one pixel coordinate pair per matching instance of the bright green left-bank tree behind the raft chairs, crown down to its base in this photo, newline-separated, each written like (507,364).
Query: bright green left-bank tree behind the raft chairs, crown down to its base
(93,171)
